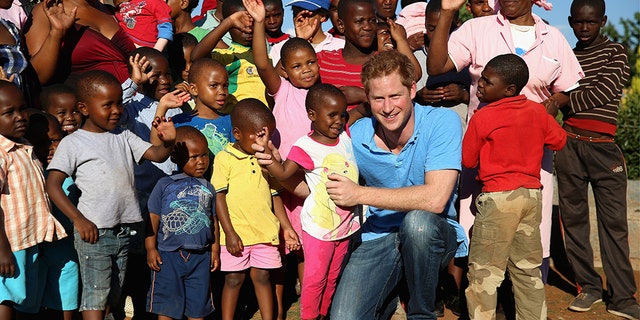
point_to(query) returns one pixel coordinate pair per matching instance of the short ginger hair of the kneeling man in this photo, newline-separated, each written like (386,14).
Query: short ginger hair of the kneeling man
(385,63)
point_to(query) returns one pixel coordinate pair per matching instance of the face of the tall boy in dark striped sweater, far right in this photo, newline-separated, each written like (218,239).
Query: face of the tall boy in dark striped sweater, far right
(586,22)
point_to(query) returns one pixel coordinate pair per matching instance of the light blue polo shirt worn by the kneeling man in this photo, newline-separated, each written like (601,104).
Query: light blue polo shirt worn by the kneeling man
(434,145)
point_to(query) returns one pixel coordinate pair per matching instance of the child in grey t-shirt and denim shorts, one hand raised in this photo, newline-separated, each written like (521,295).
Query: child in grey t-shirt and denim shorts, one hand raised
(100,157)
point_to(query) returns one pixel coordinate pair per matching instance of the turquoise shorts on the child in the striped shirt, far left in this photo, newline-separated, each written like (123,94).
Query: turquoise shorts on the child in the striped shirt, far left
(22,288)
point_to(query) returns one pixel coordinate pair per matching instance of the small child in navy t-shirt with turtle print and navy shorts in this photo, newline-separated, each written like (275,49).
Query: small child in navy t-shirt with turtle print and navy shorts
(181,250)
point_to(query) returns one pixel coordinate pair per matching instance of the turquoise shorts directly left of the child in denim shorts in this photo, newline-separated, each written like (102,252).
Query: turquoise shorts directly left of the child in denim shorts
(59,275)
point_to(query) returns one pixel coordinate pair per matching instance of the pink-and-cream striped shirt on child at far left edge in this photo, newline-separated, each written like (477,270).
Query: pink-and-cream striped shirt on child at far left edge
(27,210)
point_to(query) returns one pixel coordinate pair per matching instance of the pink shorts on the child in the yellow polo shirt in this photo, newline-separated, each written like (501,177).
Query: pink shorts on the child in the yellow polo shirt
(262,256)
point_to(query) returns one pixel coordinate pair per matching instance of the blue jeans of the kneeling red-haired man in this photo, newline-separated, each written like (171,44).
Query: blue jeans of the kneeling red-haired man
(368,287)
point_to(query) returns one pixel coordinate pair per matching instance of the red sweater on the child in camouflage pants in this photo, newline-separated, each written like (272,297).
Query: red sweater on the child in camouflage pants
(505,139)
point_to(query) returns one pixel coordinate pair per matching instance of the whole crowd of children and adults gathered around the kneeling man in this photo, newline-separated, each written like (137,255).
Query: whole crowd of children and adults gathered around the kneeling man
(220,151)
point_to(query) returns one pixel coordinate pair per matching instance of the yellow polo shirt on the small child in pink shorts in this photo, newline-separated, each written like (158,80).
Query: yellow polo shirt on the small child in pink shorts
(249,196)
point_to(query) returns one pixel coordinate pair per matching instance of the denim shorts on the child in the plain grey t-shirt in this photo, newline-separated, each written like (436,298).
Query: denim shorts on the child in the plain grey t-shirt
(103,266)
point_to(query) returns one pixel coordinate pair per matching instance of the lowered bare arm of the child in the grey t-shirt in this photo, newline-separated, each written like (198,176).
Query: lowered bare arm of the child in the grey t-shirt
(87,229)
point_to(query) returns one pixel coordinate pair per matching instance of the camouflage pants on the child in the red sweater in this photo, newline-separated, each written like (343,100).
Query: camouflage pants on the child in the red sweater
(506,234)
